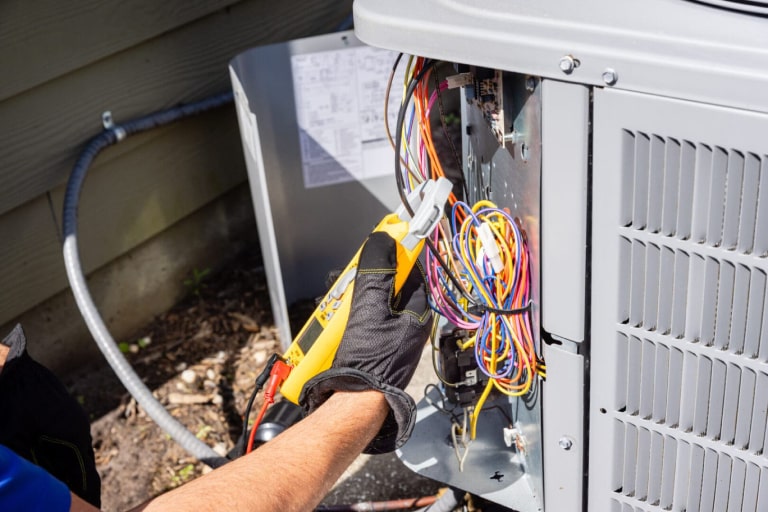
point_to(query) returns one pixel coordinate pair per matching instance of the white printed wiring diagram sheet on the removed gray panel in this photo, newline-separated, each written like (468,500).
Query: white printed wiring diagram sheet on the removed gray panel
(340,114)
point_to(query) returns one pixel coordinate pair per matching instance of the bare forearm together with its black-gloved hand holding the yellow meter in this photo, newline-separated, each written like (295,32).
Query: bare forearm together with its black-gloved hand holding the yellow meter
(357,404)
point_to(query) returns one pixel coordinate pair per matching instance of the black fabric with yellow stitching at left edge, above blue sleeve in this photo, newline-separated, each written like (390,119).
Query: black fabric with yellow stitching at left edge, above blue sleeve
(41,422)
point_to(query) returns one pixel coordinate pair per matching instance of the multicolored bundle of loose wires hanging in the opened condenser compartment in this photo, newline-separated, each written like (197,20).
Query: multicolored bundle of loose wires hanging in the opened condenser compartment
(478,269)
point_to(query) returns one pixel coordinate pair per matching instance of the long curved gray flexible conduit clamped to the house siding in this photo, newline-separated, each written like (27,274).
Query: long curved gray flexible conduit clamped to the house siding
(131,381)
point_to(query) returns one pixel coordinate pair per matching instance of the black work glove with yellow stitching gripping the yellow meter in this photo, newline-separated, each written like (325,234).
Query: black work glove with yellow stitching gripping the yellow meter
(382,342)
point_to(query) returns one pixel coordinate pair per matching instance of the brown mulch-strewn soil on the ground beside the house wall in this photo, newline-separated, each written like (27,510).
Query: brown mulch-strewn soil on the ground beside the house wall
(201,359)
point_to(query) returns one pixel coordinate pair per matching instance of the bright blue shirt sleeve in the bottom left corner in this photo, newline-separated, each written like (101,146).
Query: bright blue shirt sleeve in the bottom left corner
(27,487)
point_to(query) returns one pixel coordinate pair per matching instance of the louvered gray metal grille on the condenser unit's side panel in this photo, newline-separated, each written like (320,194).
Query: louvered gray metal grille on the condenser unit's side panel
(692,328)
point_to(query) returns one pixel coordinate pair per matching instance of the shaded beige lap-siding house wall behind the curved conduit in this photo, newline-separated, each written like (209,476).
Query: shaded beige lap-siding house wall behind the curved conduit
(63,64)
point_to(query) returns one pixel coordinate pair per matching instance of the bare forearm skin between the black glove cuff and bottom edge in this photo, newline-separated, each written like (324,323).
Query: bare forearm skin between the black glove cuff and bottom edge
(295,470)
